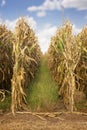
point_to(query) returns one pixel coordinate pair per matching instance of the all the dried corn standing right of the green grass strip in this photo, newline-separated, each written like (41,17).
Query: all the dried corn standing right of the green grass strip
(67,56)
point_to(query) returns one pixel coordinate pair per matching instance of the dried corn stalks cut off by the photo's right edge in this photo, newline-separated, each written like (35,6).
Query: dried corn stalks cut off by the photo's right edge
(81,69)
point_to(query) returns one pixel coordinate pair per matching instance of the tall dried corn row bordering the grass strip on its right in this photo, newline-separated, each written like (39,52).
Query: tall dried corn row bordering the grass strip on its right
(64,54)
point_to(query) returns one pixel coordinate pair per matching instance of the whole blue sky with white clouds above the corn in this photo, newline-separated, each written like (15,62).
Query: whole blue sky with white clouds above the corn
(44,16)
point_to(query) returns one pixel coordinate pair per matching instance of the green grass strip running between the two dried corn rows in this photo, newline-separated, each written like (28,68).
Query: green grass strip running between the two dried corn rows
(42,93)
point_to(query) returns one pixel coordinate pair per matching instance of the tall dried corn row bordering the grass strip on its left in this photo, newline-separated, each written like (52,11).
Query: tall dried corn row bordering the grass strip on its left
(25,53)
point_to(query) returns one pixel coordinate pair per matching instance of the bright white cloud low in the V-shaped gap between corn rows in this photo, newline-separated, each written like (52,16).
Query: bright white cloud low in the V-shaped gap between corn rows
(45,36)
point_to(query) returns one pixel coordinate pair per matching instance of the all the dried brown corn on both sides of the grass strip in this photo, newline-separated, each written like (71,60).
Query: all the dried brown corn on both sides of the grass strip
(20,57)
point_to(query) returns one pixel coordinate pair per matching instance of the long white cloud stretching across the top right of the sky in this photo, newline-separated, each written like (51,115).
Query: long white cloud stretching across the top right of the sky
(57,5)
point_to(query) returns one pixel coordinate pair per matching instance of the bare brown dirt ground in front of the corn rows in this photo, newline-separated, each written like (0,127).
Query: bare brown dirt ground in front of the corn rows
(47,121)
